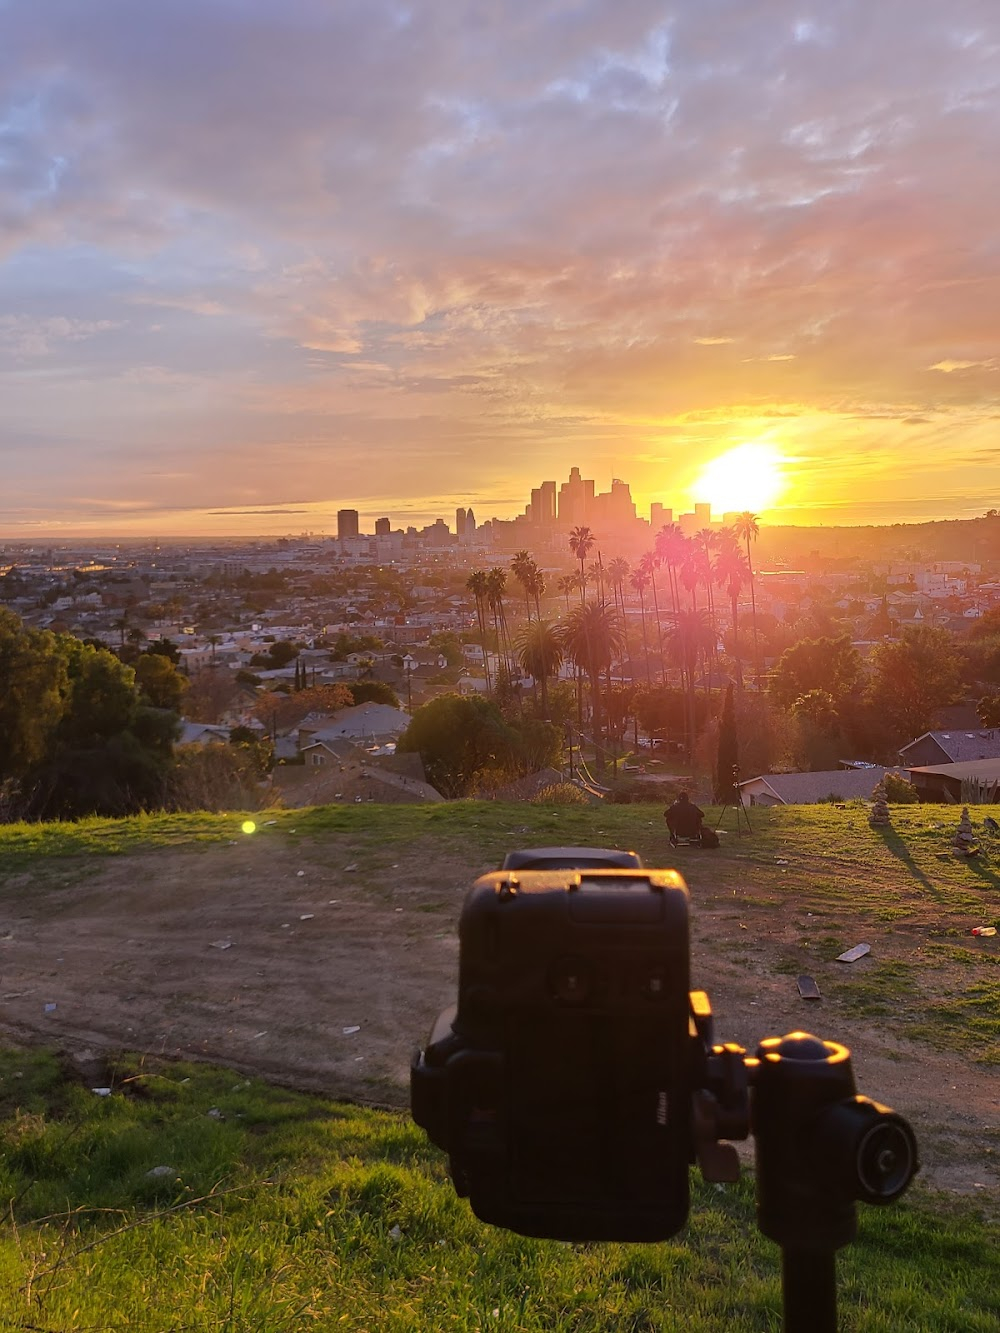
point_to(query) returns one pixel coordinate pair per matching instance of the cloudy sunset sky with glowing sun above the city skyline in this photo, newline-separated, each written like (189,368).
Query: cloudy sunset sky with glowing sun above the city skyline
(261,262)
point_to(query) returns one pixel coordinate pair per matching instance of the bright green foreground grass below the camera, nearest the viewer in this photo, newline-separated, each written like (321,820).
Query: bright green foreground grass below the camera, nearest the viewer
(282,1211)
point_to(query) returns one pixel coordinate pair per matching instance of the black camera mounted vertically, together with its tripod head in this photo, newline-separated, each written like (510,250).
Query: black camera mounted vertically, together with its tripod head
(578,1079)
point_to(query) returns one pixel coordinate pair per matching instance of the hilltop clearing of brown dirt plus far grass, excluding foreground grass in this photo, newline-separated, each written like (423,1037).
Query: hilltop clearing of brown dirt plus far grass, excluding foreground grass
(183,936)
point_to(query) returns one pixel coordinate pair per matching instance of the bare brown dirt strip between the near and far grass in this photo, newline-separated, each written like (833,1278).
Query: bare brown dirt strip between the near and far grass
(307,967)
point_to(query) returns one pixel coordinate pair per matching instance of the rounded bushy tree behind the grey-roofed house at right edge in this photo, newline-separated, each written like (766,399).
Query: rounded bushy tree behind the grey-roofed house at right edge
(914,678)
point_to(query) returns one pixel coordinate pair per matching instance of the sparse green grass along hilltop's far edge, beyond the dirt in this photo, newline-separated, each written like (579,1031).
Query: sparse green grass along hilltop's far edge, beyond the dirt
(817,876)
